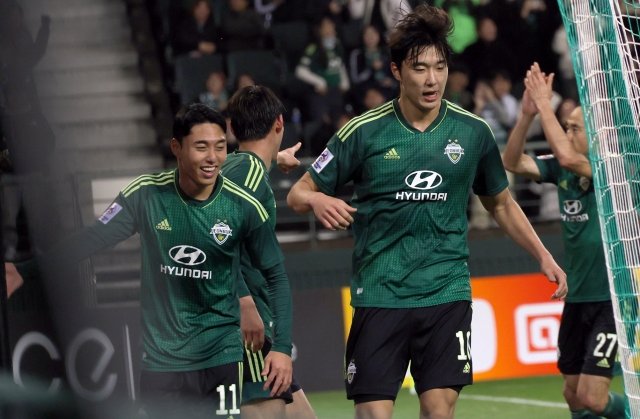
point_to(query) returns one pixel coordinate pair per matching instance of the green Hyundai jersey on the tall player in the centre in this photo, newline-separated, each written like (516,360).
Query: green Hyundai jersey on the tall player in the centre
(411,192)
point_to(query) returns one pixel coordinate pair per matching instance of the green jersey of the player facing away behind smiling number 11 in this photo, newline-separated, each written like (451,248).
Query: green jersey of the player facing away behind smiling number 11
(247,170)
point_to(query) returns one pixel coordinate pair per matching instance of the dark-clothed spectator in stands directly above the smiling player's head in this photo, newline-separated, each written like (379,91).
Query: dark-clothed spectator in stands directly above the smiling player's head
(195,33)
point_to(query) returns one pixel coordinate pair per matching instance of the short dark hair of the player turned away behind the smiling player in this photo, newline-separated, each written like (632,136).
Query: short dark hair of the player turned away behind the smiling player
(253,110)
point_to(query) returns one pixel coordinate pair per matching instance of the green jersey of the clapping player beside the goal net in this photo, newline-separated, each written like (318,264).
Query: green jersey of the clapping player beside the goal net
(584,253)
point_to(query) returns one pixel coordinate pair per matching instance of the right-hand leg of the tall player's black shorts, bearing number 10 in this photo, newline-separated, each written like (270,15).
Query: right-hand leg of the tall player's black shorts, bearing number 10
(441,347)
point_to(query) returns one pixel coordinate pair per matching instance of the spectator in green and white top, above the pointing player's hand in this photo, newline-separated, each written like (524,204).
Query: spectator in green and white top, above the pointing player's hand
(322,67)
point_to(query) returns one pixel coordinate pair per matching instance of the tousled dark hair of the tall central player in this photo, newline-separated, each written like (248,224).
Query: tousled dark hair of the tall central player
(425,27)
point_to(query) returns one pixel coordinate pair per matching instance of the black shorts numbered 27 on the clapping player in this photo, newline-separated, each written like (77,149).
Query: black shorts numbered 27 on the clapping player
(587,341)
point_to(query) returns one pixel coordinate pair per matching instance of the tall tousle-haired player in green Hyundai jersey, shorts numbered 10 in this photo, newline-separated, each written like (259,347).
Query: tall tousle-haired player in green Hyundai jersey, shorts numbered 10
(412,162)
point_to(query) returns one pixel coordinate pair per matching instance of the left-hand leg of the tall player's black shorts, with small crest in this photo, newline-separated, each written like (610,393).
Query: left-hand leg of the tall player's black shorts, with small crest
(377,353)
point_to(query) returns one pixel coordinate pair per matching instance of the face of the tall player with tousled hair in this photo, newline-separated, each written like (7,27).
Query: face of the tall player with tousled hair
(422,82)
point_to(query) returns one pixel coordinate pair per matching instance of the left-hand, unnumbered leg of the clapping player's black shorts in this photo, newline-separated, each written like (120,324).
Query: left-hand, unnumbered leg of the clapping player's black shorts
(572,339)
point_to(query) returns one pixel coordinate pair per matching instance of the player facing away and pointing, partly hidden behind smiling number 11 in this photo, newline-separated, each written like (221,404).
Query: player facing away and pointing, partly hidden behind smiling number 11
(257,123)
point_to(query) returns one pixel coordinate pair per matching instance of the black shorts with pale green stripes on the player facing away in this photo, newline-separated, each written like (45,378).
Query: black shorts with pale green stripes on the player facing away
(253,381)
